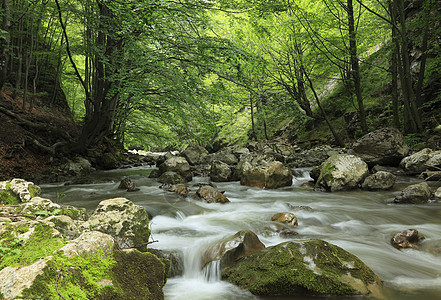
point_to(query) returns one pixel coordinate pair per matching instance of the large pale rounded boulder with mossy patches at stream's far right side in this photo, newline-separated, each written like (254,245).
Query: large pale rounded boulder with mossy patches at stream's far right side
(342,172)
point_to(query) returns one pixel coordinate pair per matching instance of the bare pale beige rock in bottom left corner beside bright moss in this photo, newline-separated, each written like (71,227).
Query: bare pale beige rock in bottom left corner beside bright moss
(13,281)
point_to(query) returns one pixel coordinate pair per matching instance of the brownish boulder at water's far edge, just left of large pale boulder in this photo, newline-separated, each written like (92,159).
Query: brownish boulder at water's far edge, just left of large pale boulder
(270,176)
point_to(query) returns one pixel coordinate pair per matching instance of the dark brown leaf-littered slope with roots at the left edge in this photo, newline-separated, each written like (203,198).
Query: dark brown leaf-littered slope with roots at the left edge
(19,157)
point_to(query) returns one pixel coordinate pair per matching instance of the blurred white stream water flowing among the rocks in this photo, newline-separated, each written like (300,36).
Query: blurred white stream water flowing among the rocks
(360,222)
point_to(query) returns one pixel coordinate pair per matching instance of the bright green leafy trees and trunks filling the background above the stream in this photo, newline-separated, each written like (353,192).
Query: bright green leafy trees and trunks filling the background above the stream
(167,73)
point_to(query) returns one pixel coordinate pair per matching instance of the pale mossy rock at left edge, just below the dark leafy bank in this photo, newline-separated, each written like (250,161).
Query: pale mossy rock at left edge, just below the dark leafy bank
(18,190)
